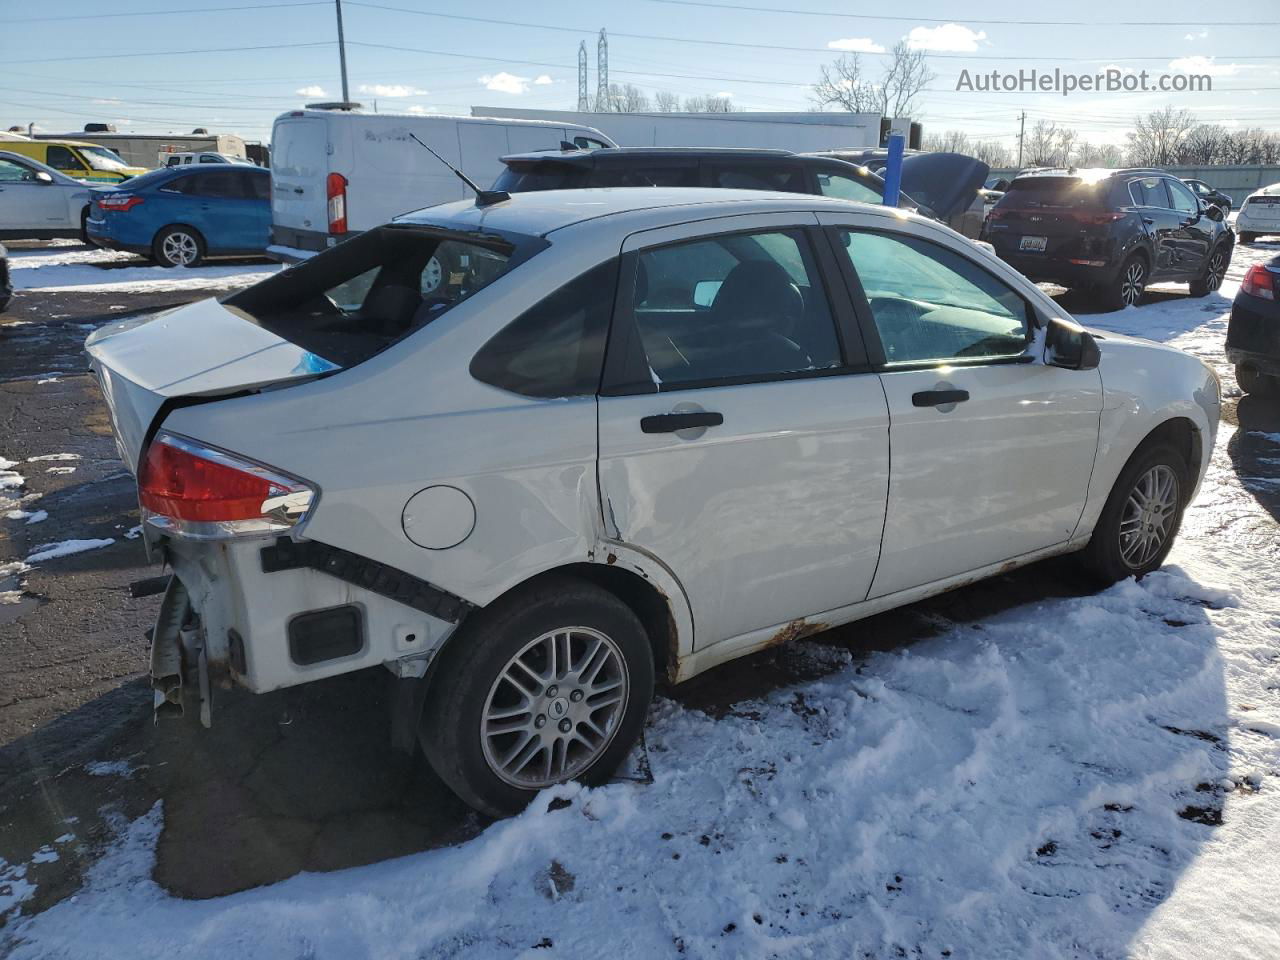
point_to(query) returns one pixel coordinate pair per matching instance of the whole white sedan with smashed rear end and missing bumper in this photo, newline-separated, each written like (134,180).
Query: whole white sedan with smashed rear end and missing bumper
(638,432)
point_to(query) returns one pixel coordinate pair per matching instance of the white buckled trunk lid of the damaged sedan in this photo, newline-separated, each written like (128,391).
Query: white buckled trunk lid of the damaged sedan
(200,351)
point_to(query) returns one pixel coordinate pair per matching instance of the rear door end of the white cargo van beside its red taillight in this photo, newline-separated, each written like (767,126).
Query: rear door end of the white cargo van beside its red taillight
(300,164)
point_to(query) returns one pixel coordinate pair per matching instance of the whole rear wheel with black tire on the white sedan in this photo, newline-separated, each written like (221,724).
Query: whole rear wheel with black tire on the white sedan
(548,685)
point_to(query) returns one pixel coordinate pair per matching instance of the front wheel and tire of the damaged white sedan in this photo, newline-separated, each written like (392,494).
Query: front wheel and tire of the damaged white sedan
(1141,518)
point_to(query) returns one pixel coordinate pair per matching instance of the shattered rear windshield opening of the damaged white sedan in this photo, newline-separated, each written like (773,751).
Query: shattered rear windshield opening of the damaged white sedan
(354,301)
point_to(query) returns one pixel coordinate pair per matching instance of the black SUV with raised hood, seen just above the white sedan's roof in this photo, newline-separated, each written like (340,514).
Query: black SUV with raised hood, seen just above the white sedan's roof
(950,181)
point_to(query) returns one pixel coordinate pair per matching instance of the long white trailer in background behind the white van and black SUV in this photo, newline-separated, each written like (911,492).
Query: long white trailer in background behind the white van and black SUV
(798,132)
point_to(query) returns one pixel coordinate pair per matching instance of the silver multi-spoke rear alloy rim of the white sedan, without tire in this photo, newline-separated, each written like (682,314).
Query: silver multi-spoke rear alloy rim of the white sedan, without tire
(555,708)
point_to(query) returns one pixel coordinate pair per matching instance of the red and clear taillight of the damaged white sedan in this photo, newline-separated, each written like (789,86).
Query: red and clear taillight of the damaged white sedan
(202,493)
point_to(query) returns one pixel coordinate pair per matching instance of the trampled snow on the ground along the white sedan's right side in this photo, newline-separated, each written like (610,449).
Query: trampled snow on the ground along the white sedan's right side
(1085,778)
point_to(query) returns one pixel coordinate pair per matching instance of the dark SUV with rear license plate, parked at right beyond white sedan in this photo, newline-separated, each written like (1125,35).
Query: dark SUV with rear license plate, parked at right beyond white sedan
(1110,231)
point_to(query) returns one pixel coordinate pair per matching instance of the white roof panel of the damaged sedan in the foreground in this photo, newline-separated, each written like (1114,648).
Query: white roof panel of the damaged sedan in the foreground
(541,213)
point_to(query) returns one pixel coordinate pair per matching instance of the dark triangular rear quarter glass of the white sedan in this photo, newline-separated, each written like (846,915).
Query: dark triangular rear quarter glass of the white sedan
(555,349)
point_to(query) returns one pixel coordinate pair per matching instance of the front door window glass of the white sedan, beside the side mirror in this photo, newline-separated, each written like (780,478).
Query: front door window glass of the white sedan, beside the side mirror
(932,305)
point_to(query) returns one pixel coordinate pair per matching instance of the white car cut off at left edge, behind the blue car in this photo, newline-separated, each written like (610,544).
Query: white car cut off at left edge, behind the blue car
(39,203)
